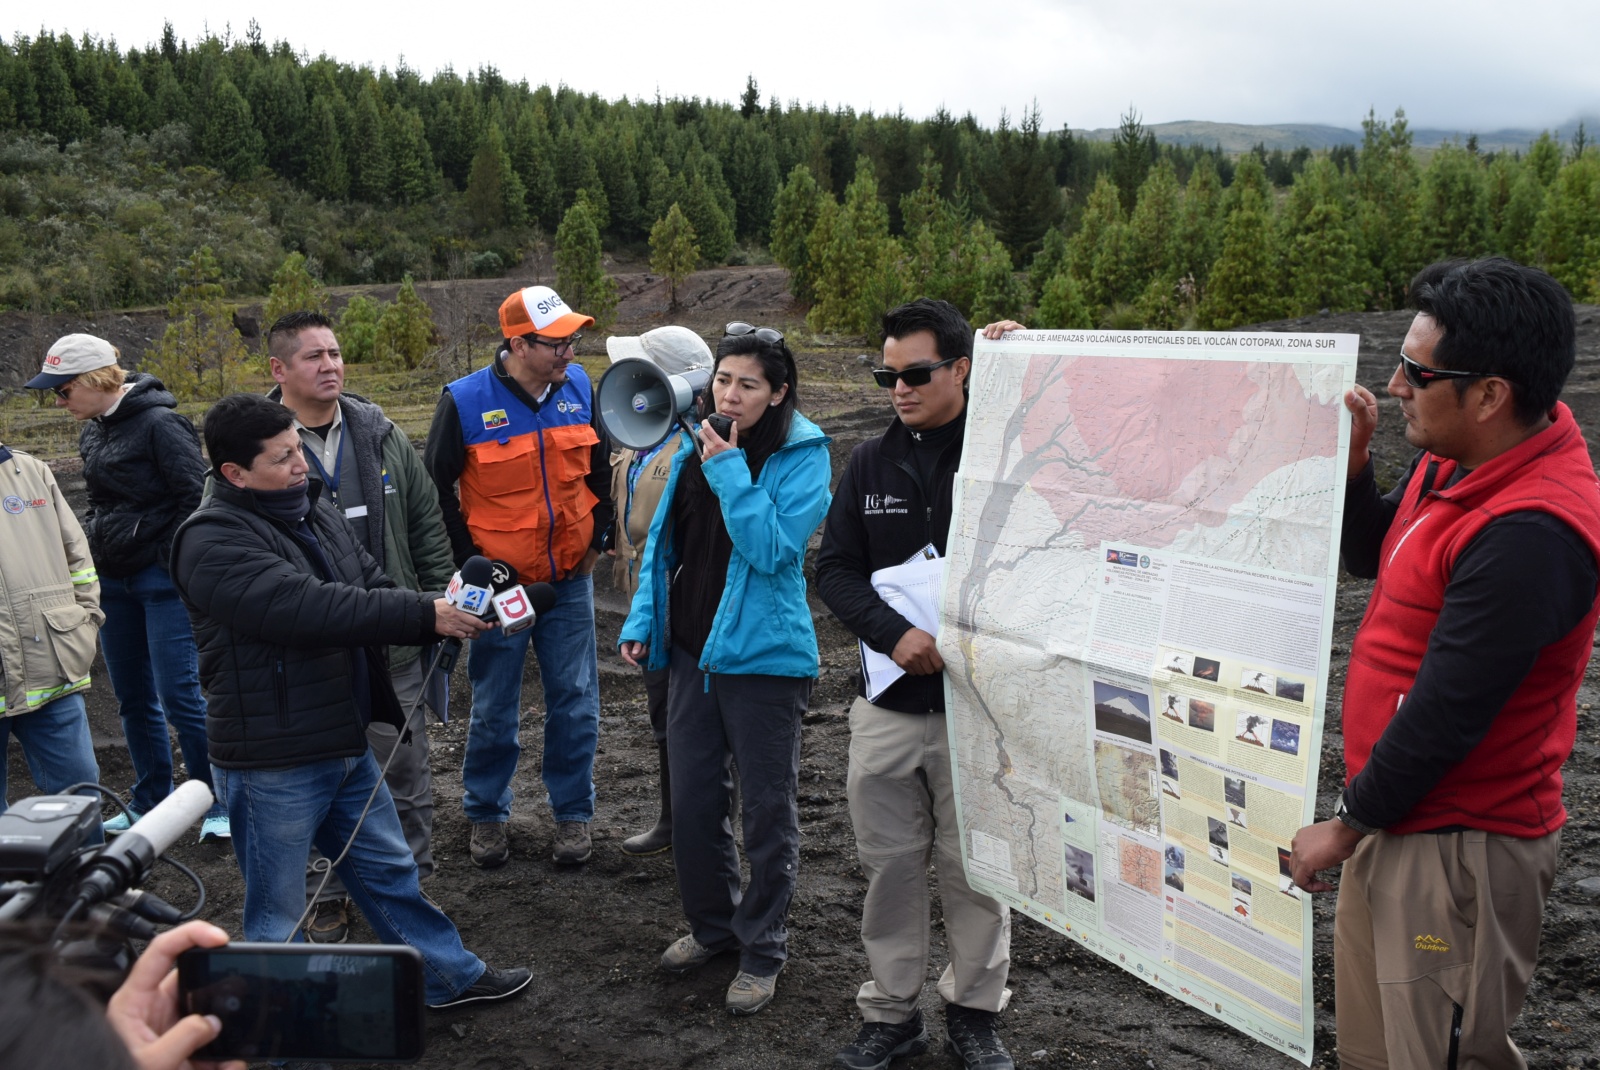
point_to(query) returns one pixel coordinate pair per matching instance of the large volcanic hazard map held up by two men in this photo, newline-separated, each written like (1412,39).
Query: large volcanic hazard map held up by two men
(1137,620)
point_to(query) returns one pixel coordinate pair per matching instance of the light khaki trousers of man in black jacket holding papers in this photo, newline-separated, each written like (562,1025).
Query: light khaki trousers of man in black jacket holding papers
(903,808)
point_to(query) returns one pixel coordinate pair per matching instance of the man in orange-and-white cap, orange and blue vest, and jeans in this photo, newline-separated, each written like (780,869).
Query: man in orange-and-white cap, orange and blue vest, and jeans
(524,477)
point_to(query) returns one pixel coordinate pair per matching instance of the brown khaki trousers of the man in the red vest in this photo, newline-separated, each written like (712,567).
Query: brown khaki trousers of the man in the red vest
(1434,946)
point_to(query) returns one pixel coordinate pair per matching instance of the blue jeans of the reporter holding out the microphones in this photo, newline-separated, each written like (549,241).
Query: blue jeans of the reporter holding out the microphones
(278,815)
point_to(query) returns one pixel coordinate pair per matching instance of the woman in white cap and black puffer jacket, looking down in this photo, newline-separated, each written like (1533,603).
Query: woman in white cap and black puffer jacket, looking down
(145,474)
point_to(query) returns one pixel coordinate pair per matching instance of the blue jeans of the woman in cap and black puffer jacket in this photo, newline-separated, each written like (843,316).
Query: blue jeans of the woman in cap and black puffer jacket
(151,657)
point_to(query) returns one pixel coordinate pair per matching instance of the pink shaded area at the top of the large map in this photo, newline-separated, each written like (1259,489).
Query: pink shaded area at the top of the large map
(1178,442)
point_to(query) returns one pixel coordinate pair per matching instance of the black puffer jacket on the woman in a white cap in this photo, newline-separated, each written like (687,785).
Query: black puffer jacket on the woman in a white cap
(145,474)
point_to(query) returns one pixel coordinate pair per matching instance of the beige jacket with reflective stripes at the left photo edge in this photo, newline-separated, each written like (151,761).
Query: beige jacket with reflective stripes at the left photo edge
(49,591)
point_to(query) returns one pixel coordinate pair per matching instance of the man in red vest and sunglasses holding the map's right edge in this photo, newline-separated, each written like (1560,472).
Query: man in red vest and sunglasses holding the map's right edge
(1460,703)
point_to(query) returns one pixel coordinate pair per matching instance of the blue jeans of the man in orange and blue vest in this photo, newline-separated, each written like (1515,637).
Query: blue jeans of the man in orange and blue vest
(564,641)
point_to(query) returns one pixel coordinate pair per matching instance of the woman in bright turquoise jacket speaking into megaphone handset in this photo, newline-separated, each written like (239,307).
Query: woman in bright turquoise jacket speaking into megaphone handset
(722,604)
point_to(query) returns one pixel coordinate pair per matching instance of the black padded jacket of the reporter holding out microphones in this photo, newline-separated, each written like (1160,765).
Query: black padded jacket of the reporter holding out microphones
(278,642)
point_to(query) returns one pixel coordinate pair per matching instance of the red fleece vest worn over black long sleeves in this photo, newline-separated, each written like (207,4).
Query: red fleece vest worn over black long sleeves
(1511,783)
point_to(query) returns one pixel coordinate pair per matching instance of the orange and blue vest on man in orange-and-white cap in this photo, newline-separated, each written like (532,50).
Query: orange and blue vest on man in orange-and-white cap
(524,493)
